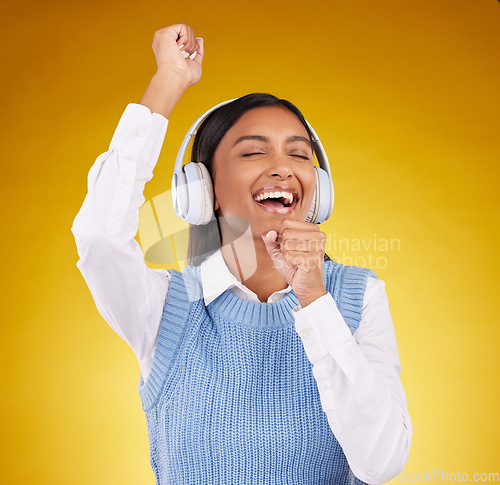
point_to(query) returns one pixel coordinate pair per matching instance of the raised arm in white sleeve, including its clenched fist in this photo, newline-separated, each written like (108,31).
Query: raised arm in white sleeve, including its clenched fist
(128,294)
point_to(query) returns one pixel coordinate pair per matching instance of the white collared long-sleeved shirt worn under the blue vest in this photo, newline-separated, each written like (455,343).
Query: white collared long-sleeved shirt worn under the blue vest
(358,375)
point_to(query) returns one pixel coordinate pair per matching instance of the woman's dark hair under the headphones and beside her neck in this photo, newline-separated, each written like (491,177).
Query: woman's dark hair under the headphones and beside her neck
(206,239)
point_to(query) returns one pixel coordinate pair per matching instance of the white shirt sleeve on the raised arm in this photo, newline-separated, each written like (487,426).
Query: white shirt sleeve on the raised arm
(128,294)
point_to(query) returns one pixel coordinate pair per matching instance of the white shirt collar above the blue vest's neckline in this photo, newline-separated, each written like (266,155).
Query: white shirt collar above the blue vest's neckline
(216,279)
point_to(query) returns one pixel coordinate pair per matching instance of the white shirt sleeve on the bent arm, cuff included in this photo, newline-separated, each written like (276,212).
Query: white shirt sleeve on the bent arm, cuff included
(358,378)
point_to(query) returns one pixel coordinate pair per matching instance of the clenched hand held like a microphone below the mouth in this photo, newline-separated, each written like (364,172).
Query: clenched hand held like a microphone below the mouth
(297,250)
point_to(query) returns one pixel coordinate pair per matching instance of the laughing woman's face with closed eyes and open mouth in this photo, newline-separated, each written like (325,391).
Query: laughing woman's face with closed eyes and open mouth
(263,170)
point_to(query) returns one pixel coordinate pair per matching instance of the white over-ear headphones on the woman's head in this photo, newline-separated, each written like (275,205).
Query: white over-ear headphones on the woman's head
(193,194)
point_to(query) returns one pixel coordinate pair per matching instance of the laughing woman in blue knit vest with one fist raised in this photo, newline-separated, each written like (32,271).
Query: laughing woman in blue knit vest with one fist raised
(261,362)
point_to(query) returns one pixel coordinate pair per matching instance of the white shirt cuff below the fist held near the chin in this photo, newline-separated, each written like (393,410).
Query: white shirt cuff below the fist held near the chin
(321,327)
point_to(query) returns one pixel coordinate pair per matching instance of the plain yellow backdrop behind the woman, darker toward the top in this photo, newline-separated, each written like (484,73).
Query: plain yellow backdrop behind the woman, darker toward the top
(404,95)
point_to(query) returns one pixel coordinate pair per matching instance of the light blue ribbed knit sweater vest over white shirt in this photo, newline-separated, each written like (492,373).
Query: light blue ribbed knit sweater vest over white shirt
(231,397)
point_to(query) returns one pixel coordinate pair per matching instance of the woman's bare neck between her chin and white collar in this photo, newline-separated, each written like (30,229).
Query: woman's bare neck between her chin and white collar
(249,262)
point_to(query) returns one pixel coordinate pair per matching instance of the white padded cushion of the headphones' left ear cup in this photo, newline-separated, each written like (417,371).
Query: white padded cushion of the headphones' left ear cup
(199,194)
